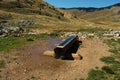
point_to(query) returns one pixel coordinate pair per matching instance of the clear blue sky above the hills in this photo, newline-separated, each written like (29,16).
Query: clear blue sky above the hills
(81,3)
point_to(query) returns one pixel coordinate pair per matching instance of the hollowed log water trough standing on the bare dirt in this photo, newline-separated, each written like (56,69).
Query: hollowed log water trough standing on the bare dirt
(65,49)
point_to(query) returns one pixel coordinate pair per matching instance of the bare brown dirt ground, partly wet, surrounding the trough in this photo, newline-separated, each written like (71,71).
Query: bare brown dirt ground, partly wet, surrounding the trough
(32,65)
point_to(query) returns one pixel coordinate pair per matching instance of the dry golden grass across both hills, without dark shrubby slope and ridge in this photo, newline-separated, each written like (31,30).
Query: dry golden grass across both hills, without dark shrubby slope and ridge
(107,18)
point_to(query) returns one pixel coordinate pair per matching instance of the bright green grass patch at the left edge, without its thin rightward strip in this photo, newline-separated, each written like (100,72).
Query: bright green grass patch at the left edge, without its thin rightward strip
(6,44)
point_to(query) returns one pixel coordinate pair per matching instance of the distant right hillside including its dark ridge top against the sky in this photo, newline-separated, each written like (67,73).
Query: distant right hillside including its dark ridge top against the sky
(105,17)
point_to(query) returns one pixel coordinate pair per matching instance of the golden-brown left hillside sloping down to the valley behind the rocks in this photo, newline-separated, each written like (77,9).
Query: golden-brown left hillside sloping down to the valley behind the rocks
(46,17)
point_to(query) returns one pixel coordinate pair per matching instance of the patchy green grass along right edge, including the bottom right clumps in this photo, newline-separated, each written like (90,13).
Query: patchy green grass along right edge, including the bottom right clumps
(112,70)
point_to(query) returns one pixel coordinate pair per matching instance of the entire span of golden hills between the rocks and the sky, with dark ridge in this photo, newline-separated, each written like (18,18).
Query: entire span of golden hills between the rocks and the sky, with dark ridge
(47,18)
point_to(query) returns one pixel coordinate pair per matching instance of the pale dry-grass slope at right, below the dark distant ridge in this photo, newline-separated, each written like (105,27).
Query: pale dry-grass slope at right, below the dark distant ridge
(106,18)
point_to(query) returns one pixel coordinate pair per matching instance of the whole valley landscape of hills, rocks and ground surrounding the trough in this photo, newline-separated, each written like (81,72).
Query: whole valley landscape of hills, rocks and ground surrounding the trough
(28,28)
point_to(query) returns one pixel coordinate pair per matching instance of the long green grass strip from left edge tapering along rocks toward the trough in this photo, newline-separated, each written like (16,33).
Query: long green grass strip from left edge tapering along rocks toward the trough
(8,43)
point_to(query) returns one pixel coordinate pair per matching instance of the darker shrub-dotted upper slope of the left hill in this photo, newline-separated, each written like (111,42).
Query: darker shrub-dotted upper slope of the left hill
(31,7)
